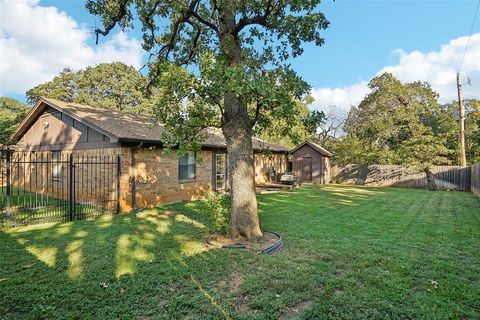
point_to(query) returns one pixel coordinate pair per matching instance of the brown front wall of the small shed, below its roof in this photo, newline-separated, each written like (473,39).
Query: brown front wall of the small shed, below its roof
(320,165)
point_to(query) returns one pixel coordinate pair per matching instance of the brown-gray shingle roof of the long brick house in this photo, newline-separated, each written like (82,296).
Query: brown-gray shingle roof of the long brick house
(127,126)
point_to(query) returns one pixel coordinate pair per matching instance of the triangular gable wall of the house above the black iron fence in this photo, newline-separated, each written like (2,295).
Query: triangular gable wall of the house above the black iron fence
(54,130)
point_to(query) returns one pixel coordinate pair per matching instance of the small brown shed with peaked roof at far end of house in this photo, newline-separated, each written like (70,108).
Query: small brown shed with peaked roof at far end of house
(311,163)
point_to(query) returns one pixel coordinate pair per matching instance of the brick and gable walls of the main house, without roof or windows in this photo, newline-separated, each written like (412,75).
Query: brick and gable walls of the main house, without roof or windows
(148,177)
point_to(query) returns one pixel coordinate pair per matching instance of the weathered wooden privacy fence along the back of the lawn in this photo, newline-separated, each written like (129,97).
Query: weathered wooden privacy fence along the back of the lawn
(446,177)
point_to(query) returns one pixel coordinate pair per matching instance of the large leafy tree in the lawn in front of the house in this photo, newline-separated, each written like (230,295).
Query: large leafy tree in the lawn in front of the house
(237,52)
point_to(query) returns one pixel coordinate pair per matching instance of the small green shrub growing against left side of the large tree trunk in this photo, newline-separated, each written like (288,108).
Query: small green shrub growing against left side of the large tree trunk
(216,207)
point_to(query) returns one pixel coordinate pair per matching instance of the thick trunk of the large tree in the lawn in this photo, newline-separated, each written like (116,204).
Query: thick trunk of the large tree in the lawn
(237,129)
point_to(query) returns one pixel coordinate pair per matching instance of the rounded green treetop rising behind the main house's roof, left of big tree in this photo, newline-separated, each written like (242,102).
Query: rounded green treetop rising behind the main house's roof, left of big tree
(107,85)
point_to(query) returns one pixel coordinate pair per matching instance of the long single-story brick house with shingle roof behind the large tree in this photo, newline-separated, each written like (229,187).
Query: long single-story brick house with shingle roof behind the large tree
(148,176)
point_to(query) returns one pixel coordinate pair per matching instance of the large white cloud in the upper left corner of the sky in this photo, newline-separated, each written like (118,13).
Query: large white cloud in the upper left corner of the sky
(37,42)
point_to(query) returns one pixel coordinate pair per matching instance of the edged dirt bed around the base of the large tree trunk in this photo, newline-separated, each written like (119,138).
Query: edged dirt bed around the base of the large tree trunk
(258,244)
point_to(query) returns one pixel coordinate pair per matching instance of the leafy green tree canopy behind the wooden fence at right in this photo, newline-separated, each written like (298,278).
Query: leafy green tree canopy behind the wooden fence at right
(395,119)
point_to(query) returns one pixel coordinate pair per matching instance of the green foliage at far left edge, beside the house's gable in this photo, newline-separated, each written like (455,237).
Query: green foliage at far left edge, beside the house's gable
(12,113)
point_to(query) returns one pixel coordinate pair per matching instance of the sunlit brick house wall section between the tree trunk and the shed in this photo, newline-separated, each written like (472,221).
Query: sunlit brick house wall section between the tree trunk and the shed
(266,164)
